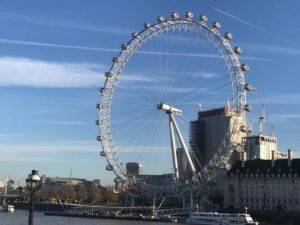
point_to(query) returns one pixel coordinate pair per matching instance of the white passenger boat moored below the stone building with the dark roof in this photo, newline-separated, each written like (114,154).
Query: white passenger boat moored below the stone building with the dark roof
(214,218)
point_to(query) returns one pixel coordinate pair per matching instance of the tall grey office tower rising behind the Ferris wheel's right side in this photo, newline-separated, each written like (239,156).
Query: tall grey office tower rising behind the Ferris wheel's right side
(208,132)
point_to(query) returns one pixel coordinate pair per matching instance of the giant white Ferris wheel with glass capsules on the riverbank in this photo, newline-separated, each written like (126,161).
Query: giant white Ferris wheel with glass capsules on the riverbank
(153,90)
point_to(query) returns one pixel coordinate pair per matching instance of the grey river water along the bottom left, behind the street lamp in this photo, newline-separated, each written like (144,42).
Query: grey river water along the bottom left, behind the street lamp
(20,217)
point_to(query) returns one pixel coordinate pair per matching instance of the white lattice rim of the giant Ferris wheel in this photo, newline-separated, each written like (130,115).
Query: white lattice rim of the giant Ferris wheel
(212,36)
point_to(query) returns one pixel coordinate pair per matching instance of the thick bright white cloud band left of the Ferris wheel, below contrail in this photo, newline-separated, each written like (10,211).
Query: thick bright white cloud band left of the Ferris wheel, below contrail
(36,73)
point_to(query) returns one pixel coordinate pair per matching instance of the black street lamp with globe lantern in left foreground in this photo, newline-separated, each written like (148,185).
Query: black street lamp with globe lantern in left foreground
(33,183)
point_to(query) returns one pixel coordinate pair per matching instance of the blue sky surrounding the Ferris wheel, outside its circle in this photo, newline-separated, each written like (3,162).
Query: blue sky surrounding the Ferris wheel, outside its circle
(53,55)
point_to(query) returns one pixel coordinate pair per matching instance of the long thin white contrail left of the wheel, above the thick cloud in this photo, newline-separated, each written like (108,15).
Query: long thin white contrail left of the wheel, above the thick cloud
(42,44)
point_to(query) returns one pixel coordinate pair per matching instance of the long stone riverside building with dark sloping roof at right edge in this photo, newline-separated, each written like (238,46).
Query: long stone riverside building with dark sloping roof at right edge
(264,185)
